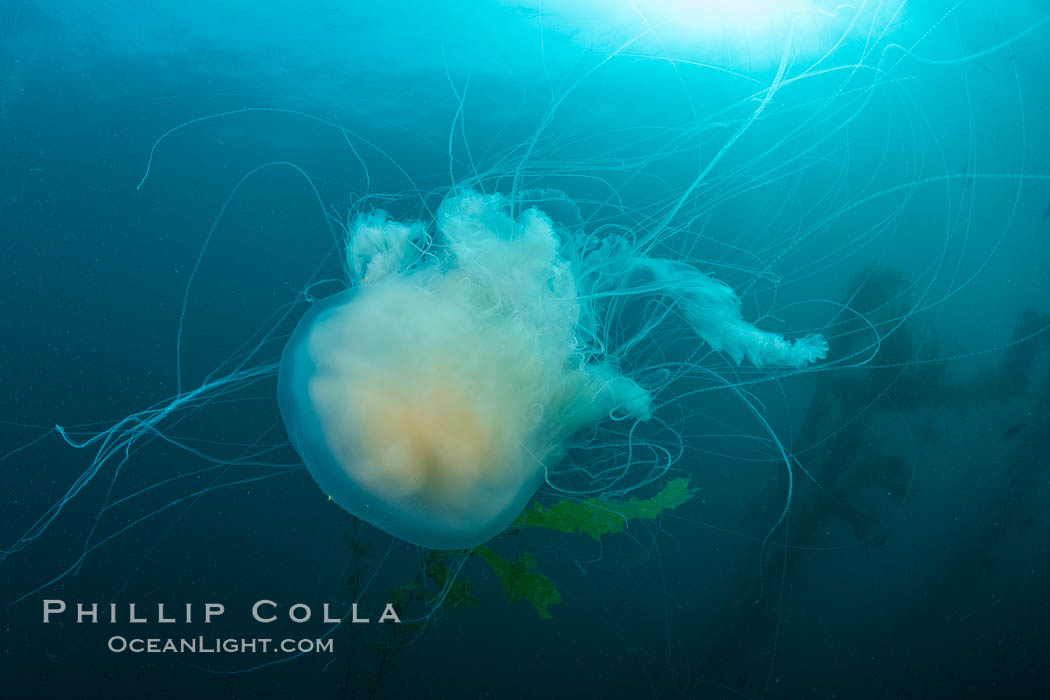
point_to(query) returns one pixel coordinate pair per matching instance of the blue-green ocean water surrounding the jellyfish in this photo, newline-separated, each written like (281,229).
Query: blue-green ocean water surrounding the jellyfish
(177,179)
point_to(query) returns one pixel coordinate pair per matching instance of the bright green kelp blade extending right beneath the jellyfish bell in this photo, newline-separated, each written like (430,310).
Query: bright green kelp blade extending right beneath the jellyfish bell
(602,517)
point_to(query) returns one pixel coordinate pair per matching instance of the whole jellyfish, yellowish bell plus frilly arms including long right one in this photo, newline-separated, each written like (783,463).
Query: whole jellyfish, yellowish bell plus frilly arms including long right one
(432,397)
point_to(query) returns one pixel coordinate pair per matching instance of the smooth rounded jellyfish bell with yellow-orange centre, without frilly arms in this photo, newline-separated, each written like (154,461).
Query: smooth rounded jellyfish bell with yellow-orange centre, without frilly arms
(396,417)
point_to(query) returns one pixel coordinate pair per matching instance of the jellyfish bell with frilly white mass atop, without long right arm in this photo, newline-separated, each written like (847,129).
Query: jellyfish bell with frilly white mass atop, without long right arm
(428,401)
